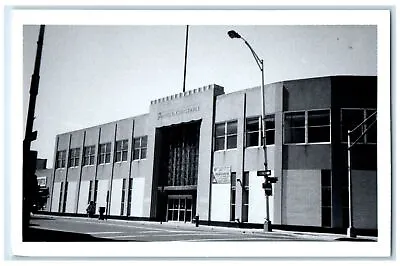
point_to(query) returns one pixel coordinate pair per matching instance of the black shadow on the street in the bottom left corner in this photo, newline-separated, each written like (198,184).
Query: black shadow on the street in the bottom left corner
(42,235)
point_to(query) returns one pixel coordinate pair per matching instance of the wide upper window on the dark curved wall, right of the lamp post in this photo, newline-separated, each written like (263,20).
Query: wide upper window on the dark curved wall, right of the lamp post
(307,127)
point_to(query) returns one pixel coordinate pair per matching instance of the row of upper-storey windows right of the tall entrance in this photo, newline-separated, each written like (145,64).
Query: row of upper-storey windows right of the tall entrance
(299,127)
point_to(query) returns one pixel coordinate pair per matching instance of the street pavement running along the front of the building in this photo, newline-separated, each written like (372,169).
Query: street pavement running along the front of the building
(60,229)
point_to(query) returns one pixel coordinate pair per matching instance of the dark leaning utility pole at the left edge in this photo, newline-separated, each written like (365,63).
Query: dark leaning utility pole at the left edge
(29,157)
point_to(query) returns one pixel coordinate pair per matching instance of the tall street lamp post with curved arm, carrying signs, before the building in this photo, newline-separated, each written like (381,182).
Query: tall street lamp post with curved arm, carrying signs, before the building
(233,34)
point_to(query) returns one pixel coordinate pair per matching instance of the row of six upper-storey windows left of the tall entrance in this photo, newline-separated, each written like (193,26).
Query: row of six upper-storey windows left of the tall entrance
(139,152)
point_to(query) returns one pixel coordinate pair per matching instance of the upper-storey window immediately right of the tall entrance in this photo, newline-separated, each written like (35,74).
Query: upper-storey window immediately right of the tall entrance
(226,135)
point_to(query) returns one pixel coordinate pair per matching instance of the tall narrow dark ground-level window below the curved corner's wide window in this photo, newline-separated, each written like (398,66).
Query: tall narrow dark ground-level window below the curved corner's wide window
(326,198)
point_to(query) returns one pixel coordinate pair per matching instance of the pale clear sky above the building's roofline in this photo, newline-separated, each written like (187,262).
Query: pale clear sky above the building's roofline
(91,75)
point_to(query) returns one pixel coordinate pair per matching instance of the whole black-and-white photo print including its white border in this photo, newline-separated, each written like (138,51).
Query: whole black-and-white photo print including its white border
(203,128)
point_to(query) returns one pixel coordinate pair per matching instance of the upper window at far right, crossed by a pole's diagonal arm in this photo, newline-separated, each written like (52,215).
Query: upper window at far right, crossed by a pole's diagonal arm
(351,118)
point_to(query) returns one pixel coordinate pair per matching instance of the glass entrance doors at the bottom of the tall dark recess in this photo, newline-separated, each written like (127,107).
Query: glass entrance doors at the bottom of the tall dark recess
(179,208)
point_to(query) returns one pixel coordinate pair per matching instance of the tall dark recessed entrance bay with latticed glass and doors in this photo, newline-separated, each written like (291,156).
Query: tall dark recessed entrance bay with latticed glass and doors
(177,159)
